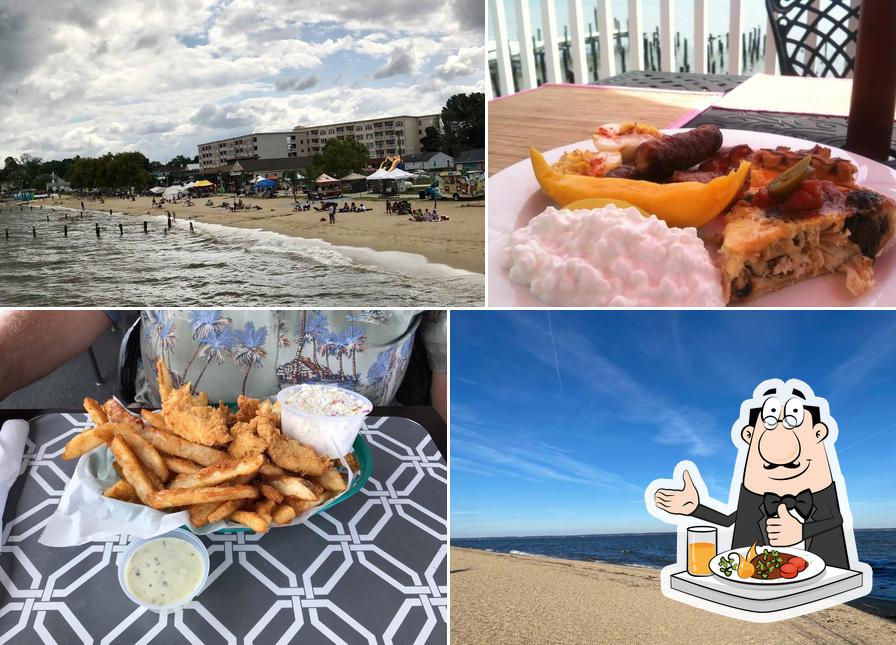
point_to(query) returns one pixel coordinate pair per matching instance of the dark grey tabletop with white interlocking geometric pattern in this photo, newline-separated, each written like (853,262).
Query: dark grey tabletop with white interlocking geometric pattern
(372,569)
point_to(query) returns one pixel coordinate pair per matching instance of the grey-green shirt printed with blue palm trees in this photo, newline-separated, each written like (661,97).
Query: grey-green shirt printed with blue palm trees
(258,352)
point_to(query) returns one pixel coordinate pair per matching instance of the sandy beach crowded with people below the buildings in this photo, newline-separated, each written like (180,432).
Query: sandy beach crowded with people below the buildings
(459,242)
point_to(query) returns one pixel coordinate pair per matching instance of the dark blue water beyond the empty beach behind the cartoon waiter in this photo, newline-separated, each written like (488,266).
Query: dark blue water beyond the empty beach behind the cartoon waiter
(877,547)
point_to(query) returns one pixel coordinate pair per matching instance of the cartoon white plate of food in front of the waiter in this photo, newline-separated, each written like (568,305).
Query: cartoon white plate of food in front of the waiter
(770,566)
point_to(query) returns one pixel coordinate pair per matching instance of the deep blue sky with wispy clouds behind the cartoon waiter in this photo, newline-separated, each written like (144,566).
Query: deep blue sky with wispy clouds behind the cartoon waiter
(560,420)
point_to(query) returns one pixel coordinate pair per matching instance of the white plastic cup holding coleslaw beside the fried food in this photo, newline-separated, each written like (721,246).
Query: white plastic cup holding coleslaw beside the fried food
(330,436)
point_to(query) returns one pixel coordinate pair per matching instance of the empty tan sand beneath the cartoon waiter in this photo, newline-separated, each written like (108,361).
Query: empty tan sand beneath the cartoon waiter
(501,598)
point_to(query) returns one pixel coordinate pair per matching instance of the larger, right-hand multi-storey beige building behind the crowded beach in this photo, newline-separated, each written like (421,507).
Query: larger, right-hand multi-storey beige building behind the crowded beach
(393,135)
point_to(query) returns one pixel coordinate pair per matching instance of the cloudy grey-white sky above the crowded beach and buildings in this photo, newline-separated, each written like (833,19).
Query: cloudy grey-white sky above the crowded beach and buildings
(161,76)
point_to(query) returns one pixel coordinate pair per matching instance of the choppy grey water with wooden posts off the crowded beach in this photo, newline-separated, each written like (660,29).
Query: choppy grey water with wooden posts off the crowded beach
(215,266)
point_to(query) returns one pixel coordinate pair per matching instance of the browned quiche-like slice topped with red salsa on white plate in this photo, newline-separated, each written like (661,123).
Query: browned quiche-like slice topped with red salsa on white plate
(820,228)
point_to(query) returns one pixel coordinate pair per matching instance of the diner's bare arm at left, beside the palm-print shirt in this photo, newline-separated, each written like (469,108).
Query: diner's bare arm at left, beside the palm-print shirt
(34,343)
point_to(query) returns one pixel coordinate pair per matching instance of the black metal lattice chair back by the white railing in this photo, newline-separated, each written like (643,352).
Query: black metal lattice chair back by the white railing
(795,23)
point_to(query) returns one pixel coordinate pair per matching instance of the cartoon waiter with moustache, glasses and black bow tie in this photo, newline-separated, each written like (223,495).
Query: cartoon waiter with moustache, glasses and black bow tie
(788,496)
